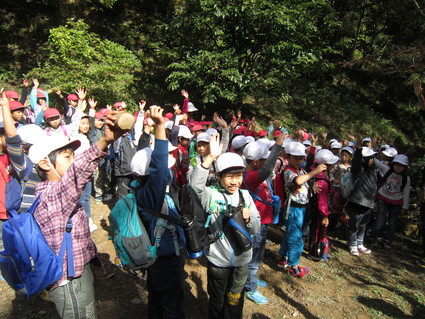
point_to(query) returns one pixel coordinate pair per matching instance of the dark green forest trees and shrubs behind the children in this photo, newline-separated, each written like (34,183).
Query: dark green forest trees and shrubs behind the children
(338,66)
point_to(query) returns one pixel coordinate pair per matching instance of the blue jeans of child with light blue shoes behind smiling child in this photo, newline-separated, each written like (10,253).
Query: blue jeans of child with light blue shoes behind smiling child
(258,248)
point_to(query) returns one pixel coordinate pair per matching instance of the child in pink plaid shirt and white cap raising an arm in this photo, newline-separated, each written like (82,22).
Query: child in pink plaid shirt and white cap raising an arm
(64,178)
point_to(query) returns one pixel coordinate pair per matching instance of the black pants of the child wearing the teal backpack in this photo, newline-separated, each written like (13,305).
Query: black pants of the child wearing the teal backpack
(165,287)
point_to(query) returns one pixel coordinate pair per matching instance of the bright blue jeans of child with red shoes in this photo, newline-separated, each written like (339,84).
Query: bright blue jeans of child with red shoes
(292,244)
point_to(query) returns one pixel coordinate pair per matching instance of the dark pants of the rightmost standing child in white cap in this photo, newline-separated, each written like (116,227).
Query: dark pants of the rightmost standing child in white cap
(381,217)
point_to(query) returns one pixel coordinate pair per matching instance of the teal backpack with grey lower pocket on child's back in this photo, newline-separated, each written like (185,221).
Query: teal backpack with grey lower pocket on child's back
(131,240)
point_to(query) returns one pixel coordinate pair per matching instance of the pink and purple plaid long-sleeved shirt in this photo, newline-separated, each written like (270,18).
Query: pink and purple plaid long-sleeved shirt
(58,201)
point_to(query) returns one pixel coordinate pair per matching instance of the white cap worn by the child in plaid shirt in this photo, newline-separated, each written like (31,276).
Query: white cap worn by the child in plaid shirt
(48,144)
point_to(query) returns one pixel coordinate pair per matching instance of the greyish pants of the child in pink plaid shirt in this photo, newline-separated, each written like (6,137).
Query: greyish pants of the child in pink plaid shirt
(76,298)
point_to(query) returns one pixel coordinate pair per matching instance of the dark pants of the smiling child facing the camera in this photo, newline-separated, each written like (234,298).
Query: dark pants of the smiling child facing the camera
(225,289)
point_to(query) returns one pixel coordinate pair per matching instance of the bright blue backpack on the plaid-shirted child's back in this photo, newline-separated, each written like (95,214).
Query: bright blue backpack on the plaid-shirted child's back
(28,264)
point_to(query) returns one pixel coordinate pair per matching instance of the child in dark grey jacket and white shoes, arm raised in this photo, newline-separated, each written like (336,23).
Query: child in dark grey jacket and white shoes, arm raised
(362,197)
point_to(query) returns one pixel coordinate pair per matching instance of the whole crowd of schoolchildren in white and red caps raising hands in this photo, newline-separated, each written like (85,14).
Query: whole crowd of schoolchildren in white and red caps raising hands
(233,174)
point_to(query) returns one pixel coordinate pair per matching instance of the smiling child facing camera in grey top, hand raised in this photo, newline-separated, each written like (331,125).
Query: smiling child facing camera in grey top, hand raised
(227,266)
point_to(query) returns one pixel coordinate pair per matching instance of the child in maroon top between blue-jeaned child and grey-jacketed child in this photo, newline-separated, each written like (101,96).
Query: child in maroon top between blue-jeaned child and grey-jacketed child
(319,207)
